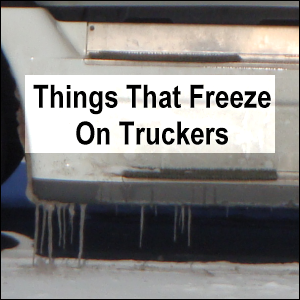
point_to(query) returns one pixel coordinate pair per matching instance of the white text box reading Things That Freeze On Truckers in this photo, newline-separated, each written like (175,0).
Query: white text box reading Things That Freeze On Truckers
(150,113)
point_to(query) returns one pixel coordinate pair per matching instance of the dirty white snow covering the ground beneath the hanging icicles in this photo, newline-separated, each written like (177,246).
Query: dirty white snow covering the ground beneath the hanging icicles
(132,279)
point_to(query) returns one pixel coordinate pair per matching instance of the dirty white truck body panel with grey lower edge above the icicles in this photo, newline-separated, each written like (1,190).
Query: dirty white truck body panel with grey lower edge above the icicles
(62,48)
